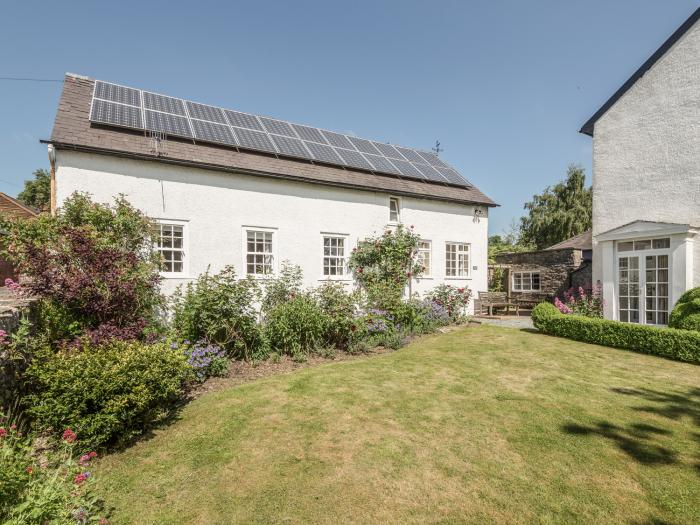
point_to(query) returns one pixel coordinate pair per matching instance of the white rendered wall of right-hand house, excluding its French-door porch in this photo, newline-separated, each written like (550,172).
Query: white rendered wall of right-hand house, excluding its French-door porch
(646,150)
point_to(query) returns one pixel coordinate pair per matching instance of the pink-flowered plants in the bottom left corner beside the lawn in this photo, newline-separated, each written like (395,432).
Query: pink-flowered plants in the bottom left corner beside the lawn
(53,485)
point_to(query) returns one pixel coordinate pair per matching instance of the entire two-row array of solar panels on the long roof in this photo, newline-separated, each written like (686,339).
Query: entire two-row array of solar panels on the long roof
(122,106)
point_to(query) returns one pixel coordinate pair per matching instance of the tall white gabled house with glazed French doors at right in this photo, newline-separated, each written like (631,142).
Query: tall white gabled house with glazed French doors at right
(646,183)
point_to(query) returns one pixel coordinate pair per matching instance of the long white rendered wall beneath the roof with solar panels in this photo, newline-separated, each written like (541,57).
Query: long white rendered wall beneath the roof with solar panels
(216,206)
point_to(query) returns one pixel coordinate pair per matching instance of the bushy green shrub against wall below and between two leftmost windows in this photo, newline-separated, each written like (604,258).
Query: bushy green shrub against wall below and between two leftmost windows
(219,309)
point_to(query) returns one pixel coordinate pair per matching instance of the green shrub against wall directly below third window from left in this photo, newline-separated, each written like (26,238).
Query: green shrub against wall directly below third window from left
(339,308)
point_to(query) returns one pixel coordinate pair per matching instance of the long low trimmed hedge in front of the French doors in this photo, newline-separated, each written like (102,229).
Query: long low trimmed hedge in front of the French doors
(682,345)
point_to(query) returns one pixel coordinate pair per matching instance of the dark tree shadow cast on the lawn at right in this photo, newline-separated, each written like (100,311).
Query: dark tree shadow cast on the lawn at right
(638,440)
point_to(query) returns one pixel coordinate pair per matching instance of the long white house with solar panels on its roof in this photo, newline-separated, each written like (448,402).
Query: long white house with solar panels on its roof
(232,188)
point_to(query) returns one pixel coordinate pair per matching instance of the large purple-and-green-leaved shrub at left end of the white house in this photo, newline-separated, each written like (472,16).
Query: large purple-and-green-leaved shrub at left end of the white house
(93,267)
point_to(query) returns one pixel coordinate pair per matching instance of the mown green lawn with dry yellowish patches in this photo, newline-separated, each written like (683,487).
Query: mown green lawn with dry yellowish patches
(478,425)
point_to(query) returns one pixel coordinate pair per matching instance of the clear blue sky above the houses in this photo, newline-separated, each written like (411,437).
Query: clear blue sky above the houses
(503,84)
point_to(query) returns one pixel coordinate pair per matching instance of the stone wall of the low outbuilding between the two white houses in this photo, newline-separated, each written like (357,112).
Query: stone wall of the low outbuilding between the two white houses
(557,268)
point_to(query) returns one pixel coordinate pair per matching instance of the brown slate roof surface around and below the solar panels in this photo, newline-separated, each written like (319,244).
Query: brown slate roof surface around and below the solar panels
(73,130)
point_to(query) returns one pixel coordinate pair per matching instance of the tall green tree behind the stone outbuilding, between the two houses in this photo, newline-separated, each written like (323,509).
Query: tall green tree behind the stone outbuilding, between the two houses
(559,213)
